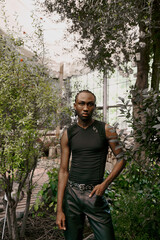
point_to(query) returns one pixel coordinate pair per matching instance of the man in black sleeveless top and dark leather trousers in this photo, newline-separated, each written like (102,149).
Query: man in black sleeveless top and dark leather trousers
(81,189)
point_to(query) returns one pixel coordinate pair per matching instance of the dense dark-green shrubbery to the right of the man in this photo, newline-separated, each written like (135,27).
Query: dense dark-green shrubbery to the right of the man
(135,194)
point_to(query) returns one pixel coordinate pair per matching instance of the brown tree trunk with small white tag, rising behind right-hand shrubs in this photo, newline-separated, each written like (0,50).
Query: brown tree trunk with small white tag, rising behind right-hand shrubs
(141,81)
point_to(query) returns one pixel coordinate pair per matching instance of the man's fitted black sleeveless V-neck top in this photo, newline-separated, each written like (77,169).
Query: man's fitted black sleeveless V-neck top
(89,148)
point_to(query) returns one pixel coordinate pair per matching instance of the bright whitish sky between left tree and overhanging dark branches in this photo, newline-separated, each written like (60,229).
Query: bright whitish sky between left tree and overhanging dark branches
(58,42)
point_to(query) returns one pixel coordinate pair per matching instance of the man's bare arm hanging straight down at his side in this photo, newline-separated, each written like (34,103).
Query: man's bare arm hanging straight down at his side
(62,180)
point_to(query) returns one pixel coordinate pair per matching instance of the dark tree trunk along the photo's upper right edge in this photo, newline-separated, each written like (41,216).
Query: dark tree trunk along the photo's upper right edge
(156,45)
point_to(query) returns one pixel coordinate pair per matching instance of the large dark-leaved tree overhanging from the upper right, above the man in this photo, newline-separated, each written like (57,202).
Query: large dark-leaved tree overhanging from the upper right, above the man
(112,33)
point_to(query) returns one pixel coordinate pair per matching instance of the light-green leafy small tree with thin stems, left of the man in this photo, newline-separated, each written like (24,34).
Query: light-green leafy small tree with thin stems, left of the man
(28,104)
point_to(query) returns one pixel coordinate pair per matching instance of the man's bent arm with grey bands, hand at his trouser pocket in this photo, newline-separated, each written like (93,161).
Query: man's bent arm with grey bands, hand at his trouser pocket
(118,152)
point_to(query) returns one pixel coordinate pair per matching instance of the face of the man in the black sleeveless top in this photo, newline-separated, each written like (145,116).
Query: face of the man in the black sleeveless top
(84,106)
